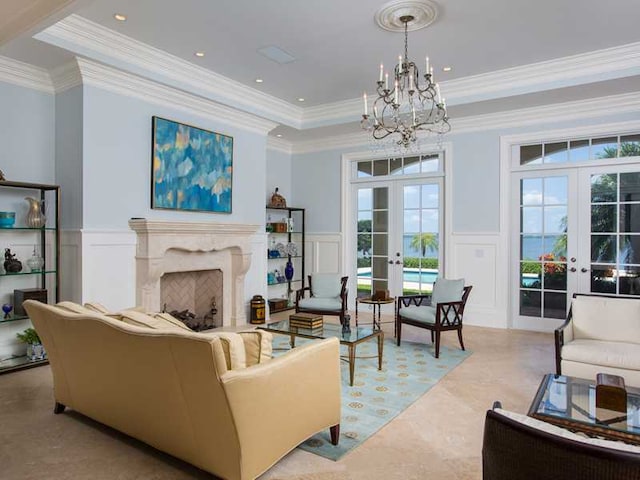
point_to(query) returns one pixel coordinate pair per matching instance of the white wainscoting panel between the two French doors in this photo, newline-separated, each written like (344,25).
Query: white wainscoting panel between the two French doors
(478,259)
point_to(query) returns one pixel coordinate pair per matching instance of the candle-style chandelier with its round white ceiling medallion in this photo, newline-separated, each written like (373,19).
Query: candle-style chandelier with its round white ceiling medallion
(407,103)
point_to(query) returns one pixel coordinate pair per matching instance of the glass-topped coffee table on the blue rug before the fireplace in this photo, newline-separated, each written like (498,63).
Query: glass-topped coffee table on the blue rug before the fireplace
(351,338)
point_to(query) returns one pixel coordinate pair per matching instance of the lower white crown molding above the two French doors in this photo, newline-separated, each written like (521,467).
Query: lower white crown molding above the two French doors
(559,112)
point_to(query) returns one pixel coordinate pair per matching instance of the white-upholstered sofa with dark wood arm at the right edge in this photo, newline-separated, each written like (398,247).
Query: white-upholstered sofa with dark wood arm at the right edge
(601,334)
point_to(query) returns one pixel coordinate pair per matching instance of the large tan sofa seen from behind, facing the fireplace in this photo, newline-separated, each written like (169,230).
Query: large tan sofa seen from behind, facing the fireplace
(217,401)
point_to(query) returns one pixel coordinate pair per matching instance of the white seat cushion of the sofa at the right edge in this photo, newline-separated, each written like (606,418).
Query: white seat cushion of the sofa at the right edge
(609,354)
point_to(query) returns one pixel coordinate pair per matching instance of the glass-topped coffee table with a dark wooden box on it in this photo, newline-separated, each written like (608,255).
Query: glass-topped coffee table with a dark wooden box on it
(571,403)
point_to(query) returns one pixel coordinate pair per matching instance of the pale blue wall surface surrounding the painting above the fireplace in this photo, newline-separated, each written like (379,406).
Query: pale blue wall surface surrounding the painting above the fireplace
(117,163)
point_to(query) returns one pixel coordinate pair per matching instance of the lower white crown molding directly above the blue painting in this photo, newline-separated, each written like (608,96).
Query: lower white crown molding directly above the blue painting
(123,83)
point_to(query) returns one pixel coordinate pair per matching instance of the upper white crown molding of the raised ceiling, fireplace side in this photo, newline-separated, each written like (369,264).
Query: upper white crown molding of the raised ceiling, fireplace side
(90,39)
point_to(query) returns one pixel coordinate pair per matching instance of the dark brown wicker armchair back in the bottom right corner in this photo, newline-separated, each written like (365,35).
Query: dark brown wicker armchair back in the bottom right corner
(512,450)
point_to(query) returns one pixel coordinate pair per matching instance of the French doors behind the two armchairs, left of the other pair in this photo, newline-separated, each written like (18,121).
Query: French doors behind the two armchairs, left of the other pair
(399,235)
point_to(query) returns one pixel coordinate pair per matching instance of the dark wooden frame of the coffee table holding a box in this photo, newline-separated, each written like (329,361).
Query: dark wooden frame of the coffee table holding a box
(576,425)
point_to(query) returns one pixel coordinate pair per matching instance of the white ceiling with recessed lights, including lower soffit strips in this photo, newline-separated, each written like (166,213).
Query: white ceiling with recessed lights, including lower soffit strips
(338,47)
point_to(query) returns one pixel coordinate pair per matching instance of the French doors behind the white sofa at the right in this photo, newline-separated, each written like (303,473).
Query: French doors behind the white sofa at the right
(578,230)
